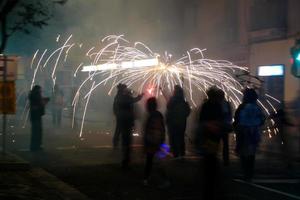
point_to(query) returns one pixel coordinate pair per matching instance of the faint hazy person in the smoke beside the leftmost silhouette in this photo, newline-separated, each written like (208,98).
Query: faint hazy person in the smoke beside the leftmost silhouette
(57,105)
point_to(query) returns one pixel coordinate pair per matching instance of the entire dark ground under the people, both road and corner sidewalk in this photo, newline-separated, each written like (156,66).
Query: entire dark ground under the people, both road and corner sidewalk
(88,167)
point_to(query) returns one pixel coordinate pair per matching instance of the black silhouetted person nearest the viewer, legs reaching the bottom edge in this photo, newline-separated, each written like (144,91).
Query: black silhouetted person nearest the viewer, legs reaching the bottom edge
(211,123)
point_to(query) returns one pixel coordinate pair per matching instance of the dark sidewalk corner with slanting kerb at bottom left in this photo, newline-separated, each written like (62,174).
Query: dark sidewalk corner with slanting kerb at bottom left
(20,181)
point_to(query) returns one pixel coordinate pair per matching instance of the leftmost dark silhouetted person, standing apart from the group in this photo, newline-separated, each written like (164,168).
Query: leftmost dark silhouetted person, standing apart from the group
(37,110)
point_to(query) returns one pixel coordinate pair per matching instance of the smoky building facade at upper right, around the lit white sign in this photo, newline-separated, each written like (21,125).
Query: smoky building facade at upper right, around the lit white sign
(250,33)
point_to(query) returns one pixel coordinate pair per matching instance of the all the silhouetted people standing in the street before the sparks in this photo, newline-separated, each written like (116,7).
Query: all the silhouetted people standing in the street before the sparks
(214,123)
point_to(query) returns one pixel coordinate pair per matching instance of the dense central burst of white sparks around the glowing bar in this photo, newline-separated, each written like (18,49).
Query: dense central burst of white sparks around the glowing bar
(138,66)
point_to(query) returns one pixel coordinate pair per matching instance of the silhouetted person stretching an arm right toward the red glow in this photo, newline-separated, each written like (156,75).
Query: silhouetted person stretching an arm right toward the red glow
(126,122)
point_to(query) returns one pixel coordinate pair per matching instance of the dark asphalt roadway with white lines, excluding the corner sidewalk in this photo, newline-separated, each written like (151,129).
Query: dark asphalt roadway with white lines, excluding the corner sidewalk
(97,173)
